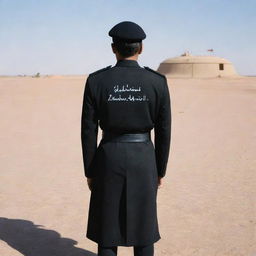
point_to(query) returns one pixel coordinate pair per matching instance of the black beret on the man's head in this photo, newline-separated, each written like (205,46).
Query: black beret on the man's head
(127,31)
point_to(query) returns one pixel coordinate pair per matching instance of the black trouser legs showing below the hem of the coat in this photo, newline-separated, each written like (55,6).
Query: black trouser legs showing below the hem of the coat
(147,250)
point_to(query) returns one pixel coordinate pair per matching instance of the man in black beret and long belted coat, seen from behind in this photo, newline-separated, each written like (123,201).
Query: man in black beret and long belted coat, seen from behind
(125,170)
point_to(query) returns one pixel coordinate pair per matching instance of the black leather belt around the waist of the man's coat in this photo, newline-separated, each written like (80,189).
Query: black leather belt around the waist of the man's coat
(126,137)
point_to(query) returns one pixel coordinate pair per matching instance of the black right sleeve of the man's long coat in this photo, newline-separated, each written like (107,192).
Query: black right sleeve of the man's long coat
(162,131)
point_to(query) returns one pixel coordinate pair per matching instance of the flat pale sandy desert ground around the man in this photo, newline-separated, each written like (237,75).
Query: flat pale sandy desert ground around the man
(206,206)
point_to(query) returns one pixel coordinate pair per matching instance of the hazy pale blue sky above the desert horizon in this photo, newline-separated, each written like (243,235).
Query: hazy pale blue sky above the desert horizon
(71,37)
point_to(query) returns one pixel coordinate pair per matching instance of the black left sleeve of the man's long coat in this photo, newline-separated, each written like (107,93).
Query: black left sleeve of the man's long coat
(89,129)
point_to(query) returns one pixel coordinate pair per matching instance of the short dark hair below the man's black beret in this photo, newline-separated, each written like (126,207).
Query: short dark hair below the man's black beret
(127,49)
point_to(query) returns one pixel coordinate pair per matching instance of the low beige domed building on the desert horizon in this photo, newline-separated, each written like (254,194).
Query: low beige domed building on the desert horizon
(187,65)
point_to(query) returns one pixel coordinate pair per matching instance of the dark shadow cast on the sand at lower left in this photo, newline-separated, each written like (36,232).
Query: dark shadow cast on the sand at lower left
(30,240)
